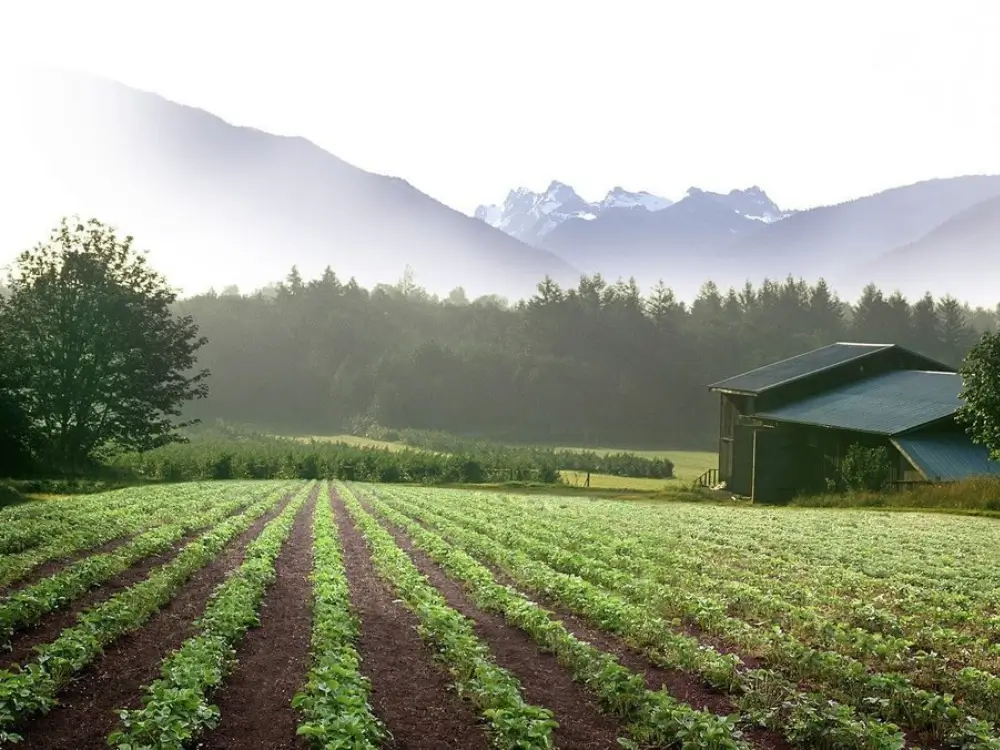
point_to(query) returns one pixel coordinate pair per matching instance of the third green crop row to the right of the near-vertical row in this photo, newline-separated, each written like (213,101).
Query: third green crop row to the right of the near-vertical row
(766,697)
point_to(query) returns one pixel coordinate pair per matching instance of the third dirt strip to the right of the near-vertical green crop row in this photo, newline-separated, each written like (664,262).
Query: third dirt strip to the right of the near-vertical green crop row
(681,685)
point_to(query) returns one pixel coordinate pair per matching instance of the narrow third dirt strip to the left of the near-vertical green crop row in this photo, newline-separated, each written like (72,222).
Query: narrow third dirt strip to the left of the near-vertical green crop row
(49,627)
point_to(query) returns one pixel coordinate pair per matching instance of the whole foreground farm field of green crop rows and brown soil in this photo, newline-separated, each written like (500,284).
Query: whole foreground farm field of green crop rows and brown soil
(294,614)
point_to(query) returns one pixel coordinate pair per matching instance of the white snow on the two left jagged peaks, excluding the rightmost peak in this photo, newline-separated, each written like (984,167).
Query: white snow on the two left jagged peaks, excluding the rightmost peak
(531,216)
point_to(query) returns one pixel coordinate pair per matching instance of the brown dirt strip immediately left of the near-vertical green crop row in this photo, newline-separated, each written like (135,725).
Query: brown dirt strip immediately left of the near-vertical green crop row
(273,658)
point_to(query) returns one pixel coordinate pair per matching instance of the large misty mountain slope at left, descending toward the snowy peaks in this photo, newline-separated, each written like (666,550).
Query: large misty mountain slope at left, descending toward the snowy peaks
(219,204)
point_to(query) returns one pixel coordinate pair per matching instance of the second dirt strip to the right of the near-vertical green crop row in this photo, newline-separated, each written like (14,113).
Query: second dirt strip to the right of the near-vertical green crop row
(583,724)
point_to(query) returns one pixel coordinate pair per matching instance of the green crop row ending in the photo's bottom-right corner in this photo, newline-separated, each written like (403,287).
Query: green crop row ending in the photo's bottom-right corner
(889,696)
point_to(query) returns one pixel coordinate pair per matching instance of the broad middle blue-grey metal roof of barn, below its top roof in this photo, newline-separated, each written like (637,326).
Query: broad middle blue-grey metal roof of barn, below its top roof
(887,404)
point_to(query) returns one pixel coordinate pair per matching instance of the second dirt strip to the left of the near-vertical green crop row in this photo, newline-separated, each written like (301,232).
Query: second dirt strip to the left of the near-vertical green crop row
(87,711)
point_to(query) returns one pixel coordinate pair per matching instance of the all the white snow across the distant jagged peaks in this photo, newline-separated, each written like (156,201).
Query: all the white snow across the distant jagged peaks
(531,216)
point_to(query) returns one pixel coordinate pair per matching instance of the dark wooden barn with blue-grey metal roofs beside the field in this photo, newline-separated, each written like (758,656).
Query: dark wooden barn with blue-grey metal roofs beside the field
(784,427)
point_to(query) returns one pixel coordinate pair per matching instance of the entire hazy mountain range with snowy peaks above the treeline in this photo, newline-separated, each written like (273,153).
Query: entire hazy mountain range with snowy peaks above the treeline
(219,204)
